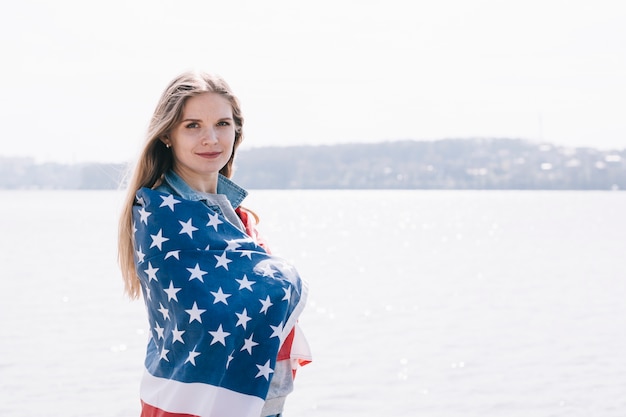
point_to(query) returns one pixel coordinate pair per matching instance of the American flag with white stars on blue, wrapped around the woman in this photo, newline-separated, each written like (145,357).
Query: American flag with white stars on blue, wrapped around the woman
(219,307)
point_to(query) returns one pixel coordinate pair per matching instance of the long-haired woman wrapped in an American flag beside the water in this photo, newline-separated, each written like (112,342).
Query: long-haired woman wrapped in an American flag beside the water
(222,309)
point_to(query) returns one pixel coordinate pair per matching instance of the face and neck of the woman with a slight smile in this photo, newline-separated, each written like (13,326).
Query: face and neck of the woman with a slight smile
(202,142)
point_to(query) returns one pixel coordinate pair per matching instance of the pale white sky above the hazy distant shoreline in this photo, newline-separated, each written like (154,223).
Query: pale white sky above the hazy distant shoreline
(80,79)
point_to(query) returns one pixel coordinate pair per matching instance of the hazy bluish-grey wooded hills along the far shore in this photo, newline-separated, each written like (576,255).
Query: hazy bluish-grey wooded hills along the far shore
(444,164)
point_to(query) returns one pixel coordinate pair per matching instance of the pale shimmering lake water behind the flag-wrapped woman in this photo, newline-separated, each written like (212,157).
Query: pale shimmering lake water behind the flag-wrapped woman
(423,303)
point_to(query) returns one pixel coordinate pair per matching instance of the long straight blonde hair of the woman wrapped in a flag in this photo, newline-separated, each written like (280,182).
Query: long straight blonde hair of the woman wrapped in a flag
(156,159)
